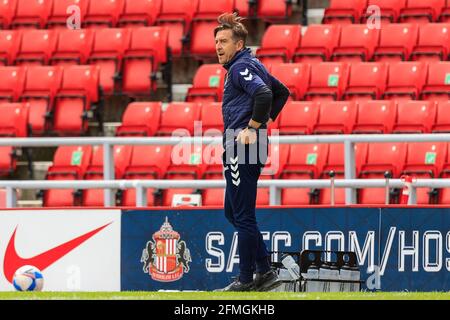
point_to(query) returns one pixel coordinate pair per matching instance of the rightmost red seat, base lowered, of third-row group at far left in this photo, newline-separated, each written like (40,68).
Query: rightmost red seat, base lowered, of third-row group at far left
(78,94)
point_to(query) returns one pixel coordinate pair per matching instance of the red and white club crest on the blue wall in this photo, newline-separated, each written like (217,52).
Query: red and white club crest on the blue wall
(167,257)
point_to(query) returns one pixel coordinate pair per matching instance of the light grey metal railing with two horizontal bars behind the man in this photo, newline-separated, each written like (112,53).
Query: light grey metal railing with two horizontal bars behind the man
(349,183)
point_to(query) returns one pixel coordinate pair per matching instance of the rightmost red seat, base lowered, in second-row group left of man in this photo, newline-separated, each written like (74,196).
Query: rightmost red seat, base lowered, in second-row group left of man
(148,49)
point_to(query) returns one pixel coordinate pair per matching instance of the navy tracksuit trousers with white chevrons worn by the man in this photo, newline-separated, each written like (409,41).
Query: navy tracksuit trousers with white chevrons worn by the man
(242,171)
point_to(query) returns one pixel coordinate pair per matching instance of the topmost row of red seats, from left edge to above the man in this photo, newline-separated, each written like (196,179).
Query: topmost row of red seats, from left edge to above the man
(194,19)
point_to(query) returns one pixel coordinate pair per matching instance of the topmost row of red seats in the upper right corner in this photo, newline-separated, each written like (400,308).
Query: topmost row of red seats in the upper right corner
(355,11)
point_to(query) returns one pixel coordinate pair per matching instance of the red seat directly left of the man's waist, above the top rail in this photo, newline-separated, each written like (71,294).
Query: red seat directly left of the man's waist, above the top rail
(211,118)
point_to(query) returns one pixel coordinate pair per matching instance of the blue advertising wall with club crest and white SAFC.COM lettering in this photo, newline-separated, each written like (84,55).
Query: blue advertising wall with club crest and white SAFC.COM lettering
(410,247)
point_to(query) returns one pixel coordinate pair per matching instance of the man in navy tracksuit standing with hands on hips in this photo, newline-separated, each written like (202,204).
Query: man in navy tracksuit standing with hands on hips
(252,99)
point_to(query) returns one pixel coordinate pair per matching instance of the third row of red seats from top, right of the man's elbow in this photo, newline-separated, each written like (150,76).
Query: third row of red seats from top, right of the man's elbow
(365,80)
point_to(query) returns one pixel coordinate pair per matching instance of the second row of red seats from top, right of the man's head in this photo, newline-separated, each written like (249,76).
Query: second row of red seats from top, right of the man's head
(350,43)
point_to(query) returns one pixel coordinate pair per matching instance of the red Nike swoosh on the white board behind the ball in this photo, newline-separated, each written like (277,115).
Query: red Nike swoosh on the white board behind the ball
(41,261)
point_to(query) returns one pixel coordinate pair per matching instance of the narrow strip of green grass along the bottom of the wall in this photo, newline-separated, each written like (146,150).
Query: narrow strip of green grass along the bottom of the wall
(139,295)
